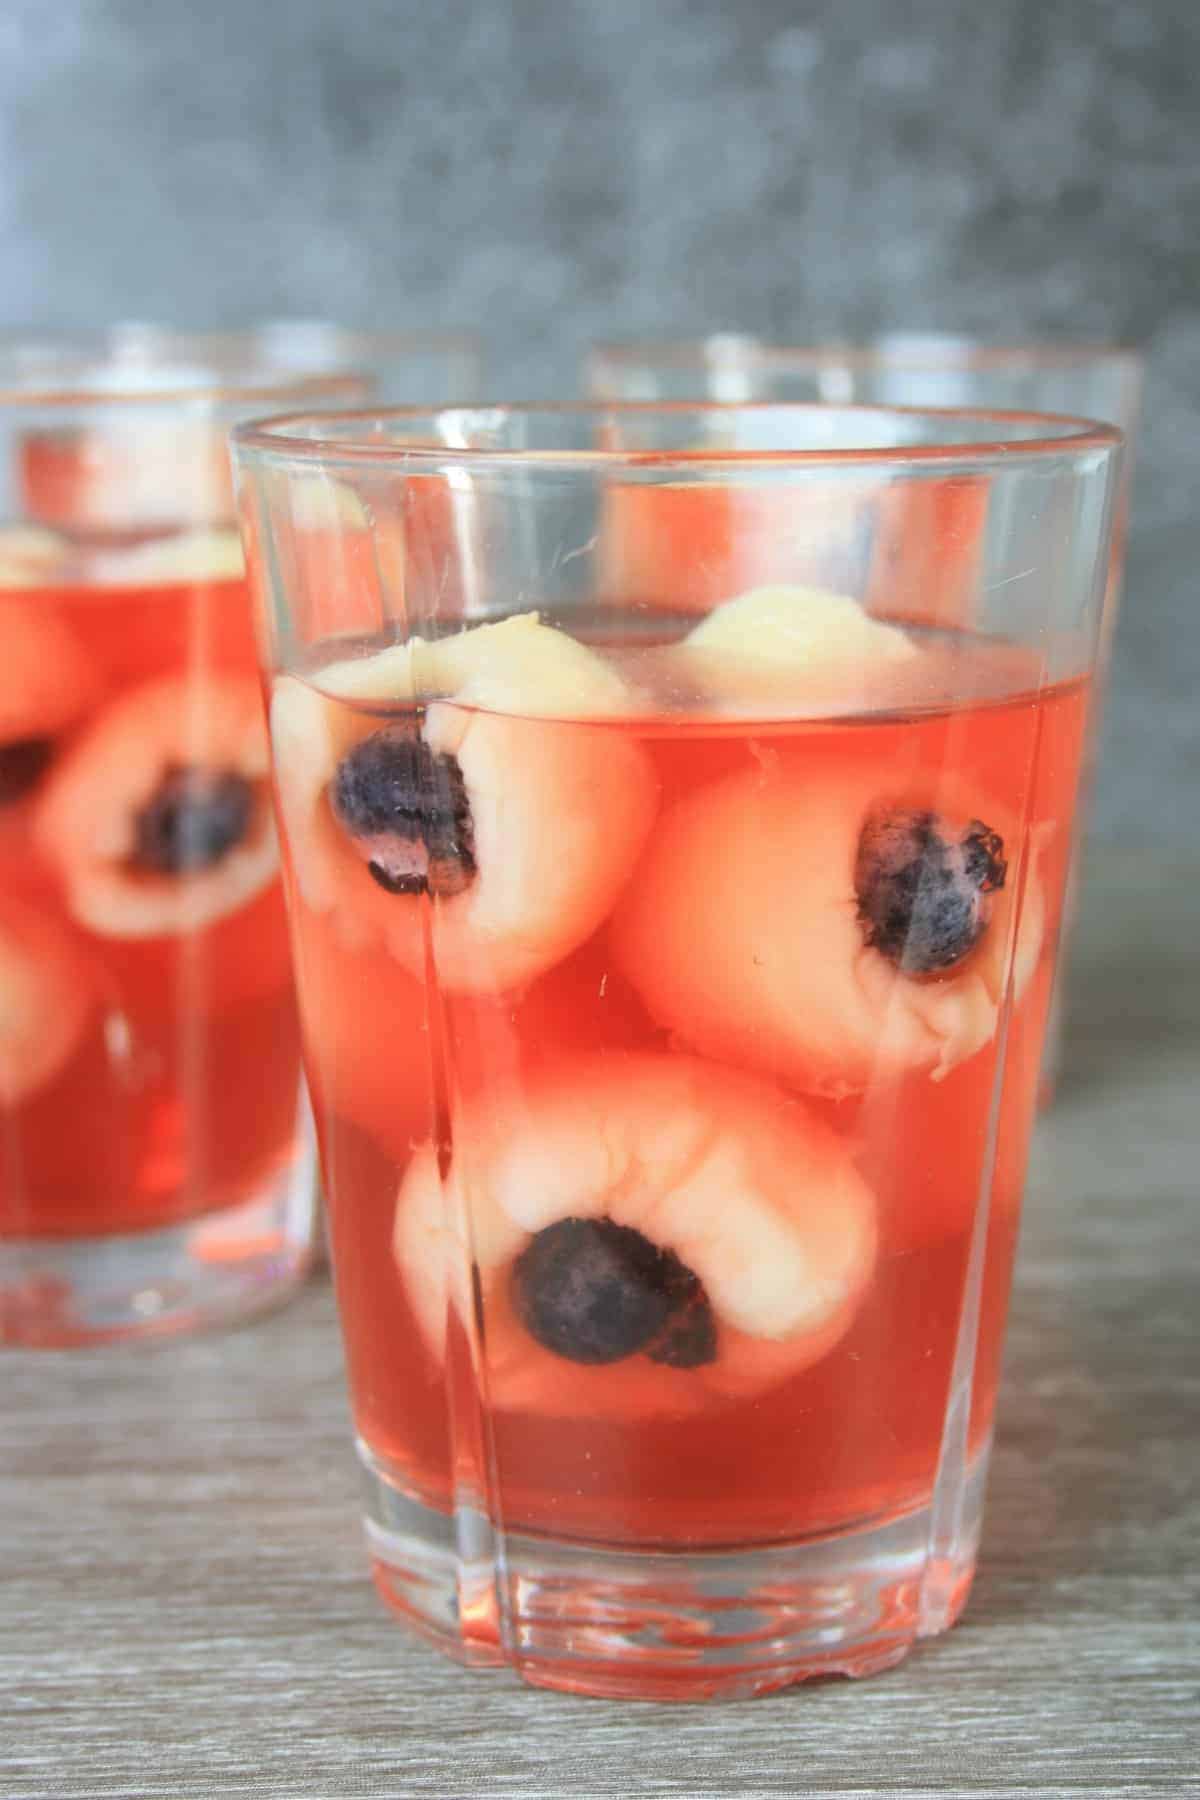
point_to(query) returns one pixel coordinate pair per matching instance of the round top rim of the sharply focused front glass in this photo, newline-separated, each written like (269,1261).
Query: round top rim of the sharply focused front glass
(327,438)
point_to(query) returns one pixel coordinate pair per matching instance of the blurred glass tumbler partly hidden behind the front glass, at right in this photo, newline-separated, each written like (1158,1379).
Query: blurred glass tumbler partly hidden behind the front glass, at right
(917,370)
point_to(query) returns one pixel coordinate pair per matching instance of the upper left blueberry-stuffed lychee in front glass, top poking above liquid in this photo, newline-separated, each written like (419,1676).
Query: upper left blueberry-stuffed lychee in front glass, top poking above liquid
(501,834)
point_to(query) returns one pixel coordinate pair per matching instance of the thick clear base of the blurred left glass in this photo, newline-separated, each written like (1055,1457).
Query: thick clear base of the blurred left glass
(204,1272)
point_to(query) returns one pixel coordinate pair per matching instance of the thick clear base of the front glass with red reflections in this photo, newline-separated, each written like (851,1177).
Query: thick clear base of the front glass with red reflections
(661,1624)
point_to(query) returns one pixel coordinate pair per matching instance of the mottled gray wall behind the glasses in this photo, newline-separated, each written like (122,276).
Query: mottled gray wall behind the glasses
(555,170)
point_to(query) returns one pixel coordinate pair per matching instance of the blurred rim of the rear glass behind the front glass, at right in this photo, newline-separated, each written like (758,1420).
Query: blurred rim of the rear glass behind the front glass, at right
(890,350)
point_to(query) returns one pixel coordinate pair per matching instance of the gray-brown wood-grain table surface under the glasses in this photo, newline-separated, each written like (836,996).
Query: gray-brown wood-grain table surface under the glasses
(184,1596)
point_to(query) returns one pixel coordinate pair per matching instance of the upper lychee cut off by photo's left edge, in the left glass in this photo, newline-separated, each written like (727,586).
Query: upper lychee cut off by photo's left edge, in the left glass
(48,685)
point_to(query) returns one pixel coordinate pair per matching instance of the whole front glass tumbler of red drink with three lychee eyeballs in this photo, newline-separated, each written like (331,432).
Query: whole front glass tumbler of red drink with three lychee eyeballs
(674,949)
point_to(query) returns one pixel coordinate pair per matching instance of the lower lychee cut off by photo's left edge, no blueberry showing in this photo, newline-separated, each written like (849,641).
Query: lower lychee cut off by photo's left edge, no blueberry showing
(48,996)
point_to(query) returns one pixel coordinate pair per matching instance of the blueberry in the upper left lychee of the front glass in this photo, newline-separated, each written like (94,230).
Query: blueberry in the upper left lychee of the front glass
(411,807)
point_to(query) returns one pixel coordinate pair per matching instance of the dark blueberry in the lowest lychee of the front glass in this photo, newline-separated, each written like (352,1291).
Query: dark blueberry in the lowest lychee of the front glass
(596,1291)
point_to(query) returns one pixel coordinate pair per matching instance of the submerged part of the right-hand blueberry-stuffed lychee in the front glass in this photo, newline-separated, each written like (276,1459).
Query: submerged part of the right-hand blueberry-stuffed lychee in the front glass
(827,922)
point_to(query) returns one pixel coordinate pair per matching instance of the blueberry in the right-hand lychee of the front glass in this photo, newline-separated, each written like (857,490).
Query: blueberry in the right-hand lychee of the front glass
(924,886)
